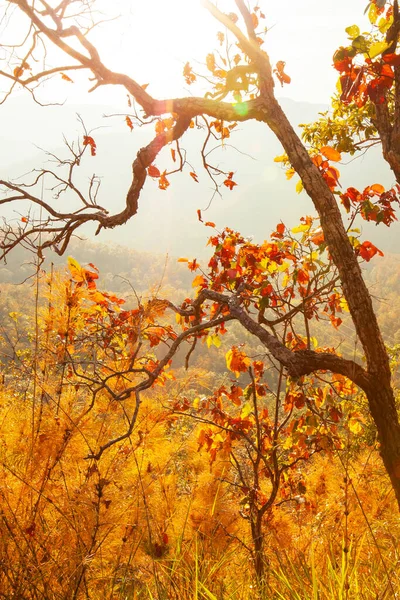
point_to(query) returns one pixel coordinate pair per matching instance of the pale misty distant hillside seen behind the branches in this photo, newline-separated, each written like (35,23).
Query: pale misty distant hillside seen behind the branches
(167,220)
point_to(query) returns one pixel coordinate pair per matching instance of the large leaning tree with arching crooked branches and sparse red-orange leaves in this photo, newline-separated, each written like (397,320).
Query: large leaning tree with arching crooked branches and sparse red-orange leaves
(374,85)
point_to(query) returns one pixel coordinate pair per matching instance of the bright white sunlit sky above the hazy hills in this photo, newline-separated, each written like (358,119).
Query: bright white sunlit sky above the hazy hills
(152,40)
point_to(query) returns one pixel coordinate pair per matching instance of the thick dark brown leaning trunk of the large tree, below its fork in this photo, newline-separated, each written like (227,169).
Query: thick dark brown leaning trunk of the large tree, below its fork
(379,390)
